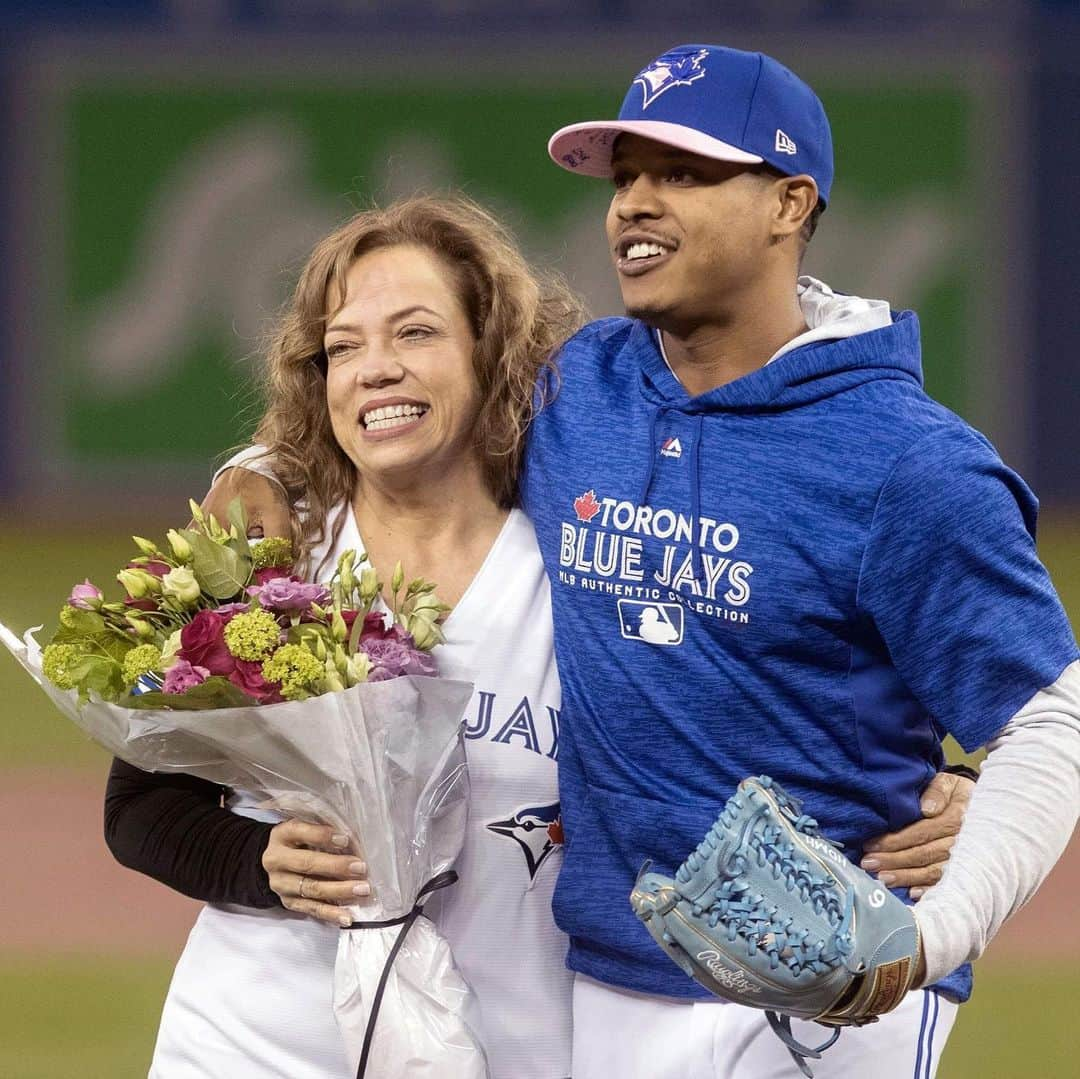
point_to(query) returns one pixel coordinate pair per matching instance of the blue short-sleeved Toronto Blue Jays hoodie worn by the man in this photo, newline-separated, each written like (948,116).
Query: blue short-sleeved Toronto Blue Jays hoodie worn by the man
(814,572)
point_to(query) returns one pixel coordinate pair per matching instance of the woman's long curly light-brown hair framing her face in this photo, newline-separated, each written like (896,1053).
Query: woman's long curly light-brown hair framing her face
(519,316)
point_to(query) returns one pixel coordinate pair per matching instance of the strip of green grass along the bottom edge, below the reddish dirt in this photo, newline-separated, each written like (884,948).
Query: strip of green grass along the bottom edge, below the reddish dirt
(97,1020)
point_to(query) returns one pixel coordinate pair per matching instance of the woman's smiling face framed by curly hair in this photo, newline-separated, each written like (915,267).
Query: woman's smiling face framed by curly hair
(401,388)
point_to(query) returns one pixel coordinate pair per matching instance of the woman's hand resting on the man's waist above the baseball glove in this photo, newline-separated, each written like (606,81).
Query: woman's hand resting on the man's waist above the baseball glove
(915,857)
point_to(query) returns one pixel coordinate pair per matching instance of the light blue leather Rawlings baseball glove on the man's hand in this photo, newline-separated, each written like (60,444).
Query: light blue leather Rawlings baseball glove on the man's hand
(769,913)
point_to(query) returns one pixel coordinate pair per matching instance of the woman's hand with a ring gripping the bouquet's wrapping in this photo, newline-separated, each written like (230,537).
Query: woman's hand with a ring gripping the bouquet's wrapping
(310,873)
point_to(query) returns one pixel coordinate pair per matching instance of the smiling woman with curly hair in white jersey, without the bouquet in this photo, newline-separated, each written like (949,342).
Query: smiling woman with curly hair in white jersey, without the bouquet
(401,383)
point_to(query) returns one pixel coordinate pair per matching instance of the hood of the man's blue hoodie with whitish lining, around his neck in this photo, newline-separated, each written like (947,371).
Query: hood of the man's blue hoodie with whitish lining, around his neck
(849,341)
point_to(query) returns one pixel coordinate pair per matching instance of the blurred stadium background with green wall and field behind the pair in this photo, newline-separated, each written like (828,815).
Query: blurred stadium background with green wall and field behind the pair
(166,164)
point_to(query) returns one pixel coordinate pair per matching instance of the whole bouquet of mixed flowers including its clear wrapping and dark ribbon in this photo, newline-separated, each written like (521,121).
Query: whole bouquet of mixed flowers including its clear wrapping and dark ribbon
(323,707)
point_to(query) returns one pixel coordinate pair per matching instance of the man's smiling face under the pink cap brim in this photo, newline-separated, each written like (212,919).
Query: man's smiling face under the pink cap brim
(691,237)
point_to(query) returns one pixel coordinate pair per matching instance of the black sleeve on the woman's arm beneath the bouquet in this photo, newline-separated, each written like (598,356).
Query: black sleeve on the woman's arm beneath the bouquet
(174,829)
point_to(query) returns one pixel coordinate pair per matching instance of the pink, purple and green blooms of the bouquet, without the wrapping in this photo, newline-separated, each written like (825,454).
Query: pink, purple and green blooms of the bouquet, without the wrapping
(213,623)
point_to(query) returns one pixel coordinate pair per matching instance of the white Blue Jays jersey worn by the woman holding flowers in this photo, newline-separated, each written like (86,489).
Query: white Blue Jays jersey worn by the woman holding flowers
(252,993)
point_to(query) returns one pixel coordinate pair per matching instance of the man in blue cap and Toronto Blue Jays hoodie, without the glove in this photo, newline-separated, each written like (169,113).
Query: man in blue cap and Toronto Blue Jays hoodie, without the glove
(772,552)
